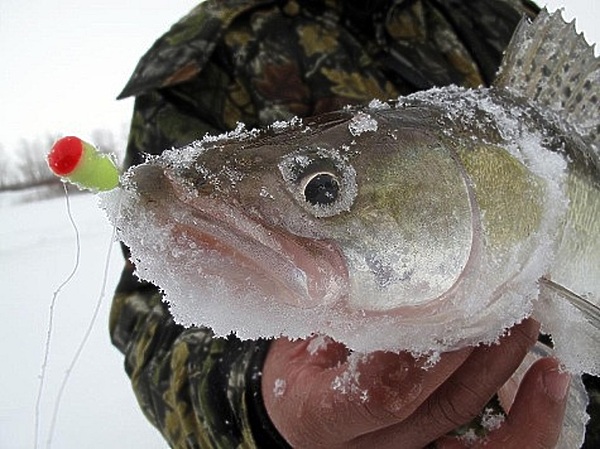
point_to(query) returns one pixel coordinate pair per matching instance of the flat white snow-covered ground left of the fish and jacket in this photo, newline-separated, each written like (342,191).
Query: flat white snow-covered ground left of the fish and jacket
(37,252)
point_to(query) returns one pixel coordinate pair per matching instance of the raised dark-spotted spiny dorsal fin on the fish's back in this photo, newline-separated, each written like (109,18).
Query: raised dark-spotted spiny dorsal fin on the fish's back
(548,62)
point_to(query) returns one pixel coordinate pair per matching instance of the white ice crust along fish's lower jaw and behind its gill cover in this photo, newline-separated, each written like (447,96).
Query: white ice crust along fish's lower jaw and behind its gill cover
(197,297)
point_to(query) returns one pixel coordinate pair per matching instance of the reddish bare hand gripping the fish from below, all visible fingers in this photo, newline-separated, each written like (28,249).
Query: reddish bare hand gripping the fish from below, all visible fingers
(388,400)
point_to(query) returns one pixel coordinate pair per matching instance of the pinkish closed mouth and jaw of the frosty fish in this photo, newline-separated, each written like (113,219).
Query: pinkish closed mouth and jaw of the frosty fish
(249,254)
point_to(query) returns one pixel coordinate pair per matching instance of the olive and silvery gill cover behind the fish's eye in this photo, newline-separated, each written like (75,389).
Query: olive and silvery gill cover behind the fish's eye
(410,232)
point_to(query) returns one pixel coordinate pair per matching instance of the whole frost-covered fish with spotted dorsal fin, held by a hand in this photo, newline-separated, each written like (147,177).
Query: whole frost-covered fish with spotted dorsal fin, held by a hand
(426,223)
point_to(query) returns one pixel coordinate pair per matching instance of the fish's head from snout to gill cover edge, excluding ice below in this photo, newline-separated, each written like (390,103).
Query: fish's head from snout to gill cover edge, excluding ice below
(371,214)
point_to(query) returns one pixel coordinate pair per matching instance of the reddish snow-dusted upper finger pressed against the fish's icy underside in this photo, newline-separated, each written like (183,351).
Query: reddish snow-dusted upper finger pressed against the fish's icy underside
(329,399)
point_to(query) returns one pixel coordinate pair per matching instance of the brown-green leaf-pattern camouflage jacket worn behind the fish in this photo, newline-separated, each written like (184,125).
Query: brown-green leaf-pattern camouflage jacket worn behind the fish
(257,61)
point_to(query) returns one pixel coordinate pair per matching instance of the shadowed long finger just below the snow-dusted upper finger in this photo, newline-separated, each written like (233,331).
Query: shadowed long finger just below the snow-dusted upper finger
(463,395)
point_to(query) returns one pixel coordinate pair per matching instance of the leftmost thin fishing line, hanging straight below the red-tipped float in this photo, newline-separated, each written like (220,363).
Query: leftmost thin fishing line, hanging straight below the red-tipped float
(50,325)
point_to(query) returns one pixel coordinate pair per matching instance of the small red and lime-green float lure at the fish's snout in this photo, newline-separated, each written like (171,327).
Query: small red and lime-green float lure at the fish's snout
(81,163)
